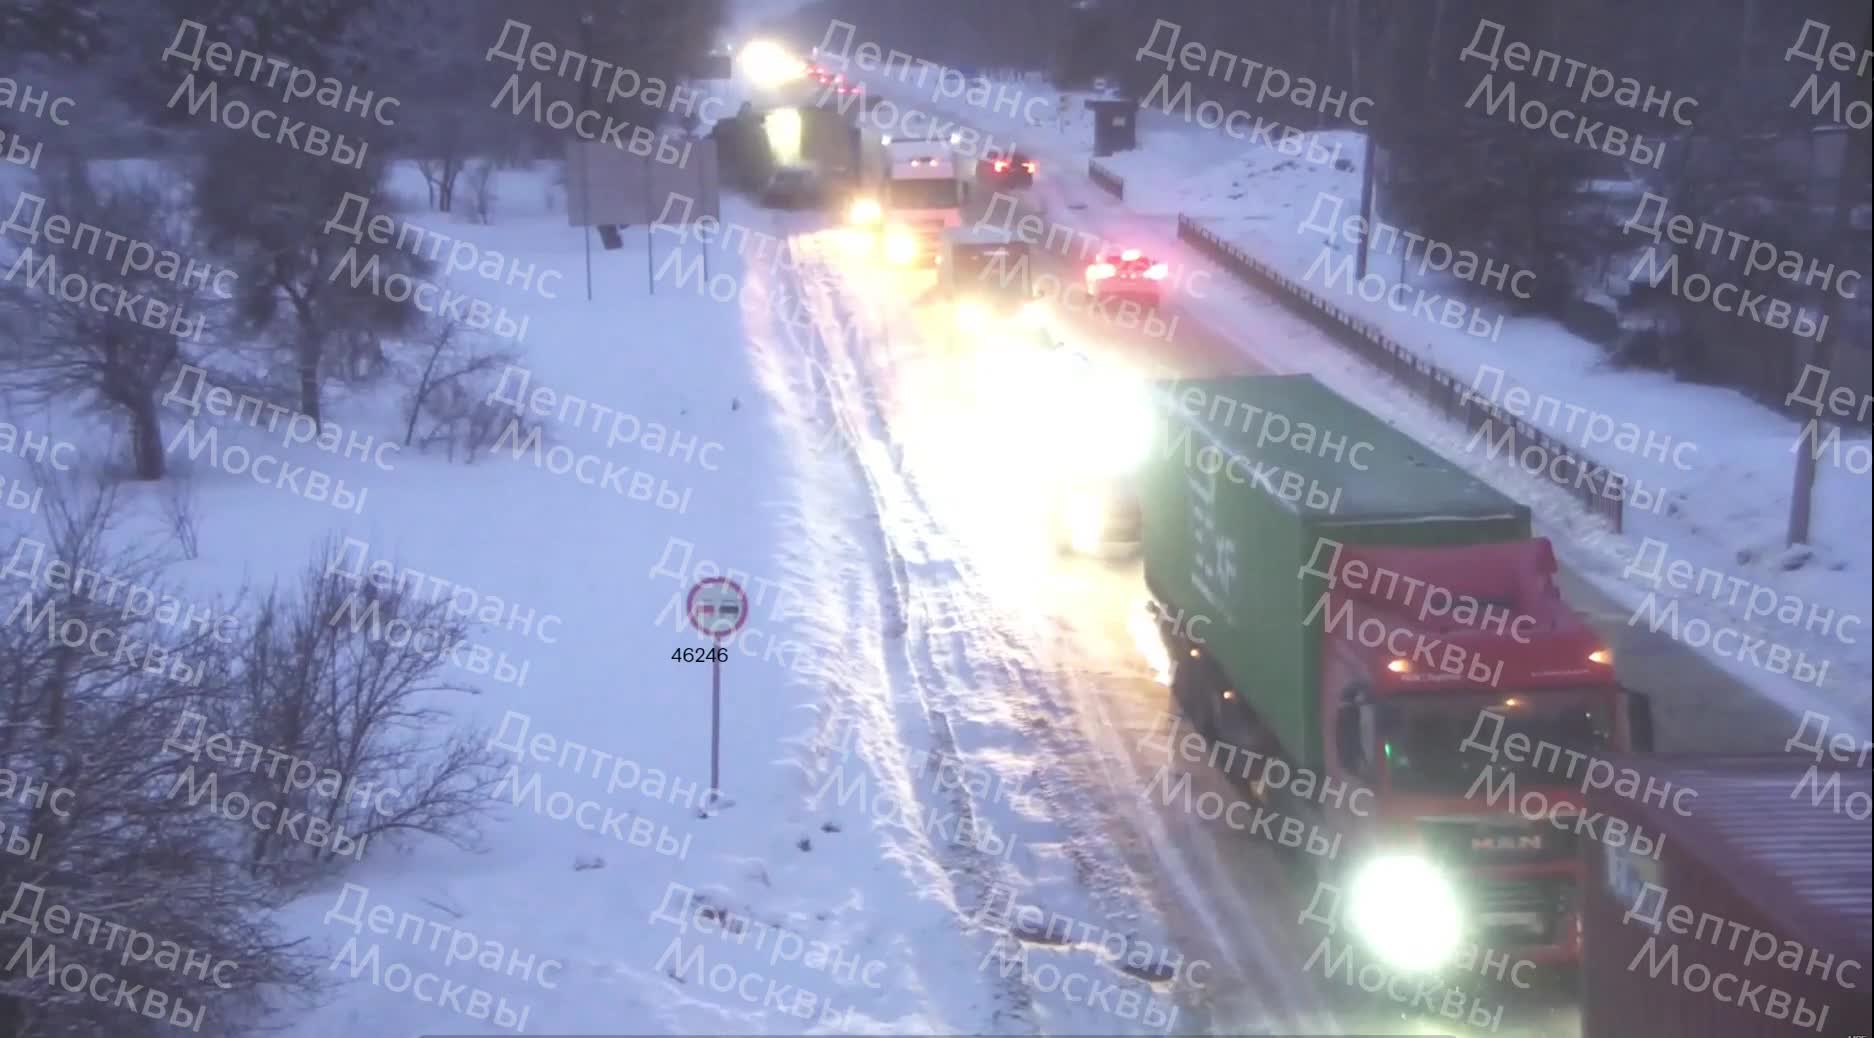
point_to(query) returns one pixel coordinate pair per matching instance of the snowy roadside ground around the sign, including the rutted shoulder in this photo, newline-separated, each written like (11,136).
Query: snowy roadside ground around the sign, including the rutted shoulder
(855,883)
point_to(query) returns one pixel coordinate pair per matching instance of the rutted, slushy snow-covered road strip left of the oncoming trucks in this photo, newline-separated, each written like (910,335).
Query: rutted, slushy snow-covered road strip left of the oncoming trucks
(1020,660)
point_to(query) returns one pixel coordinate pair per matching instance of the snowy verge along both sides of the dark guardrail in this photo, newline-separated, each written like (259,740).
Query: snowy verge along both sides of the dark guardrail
(1729,496)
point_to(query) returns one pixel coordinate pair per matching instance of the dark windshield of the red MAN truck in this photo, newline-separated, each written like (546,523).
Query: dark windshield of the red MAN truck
(1425,743)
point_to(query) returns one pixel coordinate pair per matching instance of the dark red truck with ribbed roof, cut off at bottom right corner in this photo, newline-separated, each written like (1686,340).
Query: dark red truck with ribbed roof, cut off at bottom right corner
(1753,917)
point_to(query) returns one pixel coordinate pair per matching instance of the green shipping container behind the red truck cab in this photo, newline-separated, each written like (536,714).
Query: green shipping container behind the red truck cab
(1234,516)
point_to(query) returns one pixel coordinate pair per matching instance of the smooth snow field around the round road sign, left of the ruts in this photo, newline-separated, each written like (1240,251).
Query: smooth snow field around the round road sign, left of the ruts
(612,912)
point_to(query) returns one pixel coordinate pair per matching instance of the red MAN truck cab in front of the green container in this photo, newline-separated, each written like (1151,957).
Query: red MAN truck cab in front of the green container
(1461,722)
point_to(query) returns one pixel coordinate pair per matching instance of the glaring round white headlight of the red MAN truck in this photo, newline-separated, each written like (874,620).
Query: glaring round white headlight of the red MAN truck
(1406,912)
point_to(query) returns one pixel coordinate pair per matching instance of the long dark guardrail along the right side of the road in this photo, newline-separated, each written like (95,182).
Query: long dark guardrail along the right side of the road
(1601,490)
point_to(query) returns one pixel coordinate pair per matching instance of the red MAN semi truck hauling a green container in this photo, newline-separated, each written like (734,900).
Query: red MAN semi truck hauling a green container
(1345,601)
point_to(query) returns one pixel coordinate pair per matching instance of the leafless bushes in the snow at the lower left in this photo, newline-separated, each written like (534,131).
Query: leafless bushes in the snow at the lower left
(149,816)
